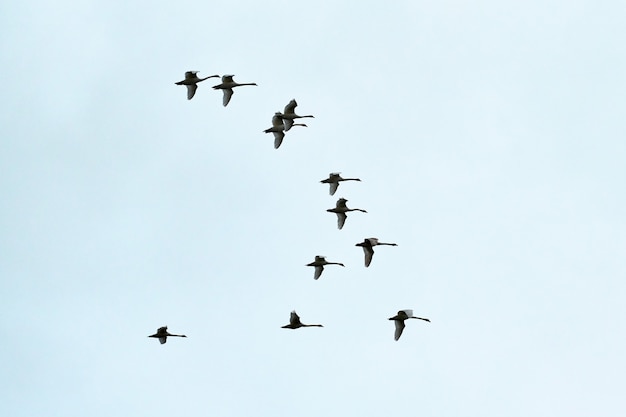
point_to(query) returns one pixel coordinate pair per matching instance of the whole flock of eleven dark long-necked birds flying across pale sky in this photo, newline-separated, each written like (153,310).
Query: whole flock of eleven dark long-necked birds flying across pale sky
(281,123)
